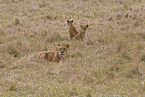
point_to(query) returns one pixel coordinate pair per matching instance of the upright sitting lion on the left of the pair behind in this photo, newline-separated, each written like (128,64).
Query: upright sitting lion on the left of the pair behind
(72,30)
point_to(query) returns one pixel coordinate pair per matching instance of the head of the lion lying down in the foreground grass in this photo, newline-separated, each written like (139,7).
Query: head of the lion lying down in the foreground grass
(62,49)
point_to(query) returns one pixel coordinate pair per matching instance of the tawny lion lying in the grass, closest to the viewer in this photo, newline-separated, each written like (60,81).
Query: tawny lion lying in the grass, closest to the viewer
(55,56)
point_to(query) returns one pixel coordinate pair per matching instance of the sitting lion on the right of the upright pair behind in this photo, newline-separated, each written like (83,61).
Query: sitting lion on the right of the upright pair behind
(82,33)
